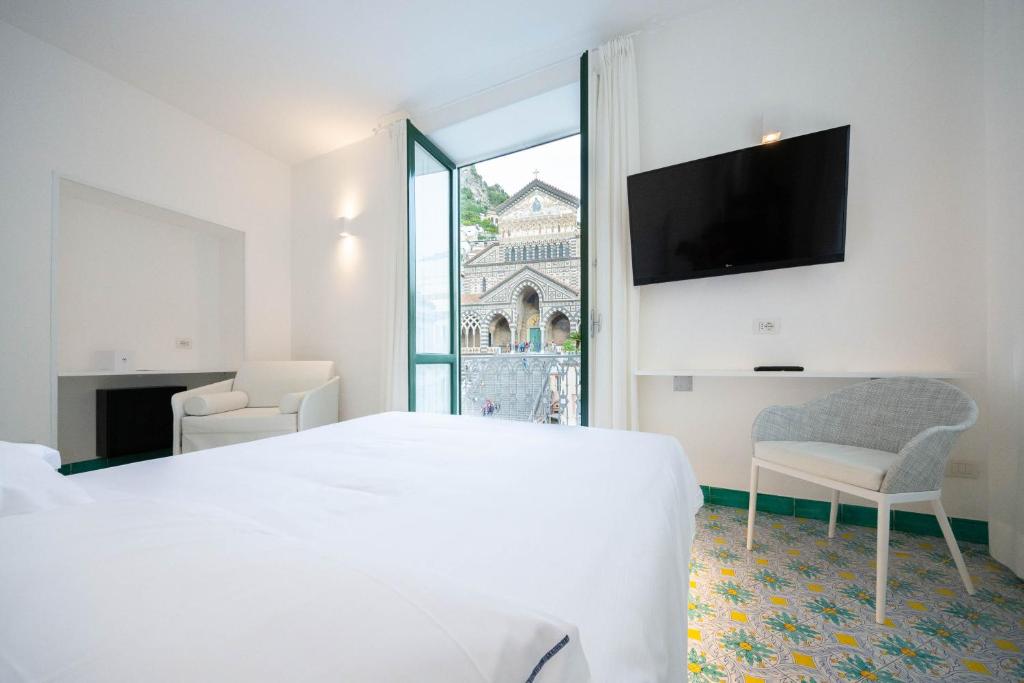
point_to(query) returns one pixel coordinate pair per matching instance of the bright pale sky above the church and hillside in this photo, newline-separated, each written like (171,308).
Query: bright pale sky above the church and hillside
(559,163)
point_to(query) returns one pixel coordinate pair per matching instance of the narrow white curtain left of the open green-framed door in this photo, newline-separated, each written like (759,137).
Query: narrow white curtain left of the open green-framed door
(395,364)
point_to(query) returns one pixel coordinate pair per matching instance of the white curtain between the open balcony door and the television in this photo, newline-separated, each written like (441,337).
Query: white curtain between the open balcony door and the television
(614,152)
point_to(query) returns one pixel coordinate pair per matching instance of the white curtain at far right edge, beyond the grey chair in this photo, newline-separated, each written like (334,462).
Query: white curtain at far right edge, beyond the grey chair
(1005,204)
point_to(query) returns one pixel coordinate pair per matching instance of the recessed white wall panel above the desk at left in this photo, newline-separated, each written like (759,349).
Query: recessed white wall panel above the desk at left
(136,280)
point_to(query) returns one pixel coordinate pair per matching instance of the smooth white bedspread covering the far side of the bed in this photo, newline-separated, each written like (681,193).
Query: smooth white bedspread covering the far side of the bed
(590,527)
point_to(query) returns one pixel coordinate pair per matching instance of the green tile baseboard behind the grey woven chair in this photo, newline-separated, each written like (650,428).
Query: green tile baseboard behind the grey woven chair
(969,531)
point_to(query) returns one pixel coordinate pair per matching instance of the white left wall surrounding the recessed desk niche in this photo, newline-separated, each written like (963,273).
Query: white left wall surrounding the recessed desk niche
(59,115)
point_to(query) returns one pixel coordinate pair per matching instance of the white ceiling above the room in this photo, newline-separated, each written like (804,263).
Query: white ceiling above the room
(302,78)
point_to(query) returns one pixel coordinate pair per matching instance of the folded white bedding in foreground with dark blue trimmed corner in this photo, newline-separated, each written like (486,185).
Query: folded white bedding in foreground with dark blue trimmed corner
(121,592)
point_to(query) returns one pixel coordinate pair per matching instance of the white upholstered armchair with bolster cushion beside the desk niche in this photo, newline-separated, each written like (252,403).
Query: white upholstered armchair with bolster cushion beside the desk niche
(266,399)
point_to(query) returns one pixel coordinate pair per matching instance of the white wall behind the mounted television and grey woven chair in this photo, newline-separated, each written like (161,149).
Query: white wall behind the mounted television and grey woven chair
(908,77)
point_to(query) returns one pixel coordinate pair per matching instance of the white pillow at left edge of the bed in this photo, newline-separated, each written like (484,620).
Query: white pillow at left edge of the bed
(29,484)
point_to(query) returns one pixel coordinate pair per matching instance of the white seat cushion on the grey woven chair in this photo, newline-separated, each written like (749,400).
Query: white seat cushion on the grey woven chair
(849,464)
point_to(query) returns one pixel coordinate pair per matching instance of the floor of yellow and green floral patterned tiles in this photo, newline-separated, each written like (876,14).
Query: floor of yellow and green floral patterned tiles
(800,608)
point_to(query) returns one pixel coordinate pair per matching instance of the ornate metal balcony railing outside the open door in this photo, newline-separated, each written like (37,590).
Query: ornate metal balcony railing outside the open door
(531,388)
